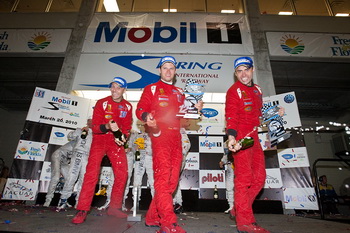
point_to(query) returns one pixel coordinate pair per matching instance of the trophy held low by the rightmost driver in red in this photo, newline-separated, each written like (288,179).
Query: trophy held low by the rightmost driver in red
(274,123)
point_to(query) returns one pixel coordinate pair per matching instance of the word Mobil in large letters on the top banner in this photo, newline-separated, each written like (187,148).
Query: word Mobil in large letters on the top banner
(157,34)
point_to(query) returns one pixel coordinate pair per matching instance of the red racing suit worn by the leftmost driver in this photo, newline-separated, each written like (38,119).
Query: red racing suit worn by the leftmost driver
(103,144)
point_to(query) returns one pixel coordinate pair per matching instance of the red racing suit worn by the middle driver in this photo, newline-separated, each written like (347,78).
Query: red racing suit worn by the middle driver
(163,101)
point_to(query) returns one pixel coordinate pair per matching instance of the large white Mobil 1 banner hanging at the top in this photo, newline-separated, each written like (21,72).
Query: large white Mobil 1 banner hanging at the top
(224,34)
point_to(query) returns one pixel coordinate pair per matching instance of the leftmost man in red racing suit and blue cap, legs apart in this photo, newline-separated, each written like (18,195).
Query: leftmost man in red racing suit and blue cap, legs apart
(111,114)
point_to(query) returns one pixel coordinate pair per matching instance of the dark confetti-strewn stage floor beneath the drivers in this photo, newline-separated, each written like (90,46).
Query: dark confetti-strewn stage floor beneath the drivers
(17,217)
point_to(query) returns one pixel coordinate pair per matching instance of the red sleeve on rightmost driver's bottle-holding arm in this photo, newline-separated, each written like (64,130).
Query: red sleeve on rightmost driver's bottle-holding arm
(232,111)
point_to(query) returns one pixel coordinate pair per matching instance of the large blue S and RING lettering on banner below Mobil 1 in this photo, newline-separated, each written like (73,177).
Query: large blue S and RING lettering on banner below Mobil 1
(130,63)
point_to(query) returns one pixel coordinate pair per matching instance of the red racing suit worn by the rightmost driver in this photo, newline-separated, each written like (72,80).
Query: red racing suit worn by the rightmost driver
(242,112)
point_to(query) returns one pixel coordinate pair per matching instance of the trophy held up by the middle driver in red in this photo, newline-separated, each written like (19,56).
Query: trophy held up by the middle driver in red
(194,93)
